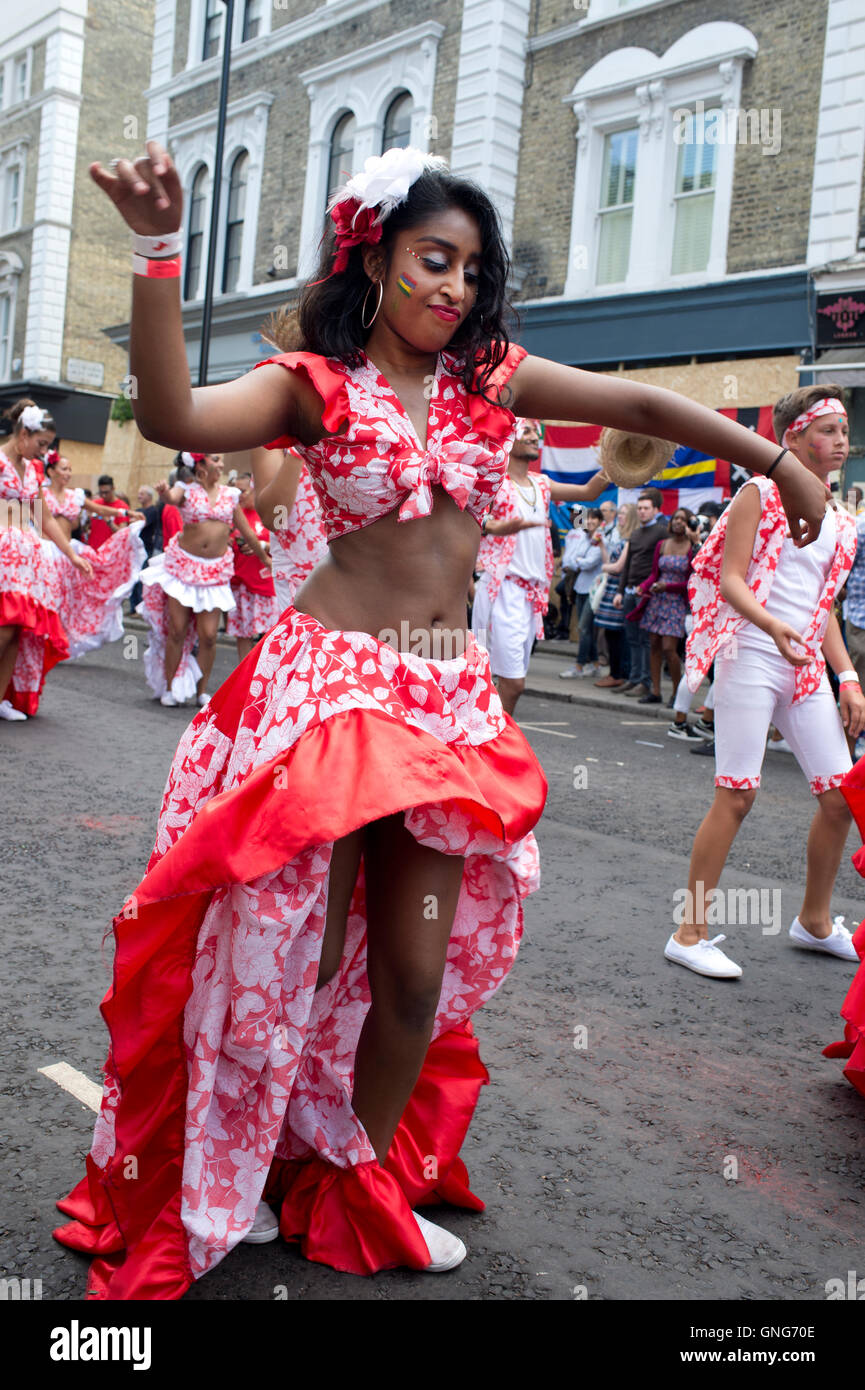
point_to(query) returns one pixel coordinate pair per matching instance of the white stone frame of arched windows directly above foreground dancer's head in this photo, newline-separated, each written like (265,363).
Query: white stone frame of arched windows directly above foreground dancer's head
(364,83)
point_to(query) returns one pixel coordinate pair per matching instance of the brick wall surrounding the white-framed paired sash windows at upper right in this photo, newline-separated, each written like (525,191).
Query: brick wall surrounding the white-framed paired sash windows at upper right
(771,194)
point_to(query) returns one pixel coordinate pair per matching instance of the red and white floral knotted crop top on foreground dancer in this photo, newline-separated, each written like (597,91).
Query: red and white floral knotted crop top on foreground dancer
(378,465)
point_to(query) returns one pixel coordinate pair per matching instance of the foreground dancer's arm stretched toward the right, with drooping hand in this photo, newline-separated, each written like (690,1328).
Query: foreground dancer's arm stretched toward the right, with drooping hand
(550,391)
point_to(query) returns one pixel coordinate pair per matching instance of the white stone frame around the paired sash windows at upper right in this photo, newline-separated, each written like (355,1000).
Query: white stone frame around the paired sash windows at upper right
(633,87)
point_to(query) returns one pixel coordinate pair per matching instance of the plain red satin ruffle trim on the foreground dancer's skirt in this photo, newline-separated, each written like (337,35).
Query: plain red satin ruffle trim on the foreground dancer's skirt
(341,776)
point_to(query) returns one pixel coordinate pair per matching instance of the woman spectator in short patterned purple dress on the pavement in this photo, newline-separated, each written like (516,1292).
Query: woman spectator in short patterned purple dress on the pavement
(667,607)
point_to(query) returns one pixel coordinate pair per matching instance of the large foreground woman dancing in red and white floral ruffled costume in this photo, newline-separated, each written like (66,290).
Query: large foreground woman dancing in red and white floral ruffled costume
(347,832)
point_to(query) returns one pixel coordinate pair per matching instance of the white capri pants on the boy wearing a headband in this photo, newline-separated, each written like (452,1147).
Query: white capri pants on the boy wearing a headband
(753,690)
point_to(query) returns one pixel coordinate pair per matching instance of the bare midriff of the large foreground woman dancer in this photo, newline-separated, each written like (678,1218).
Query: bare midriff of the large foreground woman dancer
(404,583)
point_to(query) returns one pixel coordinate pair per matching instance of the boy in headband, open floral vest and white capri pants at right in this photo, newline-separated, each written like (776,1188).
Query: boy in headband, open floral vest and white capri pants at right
(757,601)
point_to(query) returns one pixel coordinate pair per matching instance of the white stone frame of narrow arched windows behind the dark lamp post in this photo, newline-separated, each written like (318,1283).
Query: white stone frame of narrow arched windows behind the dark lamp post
(193,144)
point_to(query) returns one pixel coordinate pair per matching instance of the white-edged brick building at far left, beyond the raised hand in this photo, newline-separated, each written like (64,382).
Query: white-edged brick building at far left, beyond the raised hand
(65,270)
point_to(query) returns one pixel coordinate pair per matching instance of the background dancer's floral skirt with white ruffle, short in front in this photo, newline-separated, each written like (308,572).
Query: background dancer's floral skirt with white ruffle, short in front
(197,583)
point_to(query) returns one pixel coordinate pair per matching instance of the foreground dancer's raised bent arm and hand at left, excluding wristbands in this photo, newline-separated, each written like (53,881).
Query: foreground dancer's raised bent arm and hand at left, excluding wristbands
(230,418)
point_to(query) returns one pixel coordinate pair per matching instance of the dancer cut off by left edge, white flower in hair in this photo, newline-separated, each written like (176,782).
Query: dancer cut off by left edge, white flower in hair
(33,639)
